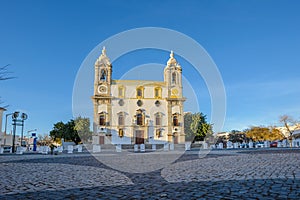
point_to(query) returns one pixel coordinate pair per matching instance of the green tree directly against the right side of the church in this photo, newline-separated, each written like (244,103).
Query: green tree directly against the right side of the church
(200,127)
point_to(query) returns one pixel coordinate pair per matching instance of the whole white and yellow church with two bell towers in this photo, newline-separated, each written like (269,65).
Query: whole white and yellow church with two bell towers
(138,111)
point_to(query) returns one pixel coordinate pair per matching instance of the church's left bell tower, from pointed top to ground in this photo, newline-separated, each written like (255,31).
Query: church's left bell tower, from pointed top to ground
(102,98)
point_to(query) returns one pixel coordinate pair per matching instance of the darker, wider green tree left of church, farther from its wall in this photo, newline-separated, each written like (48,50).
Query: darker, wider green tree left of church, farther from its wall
(65,131)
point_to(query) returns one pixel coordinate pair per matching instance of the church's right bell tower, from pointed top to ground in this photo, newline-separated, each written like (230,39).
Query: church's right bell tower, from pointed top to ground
(175,100)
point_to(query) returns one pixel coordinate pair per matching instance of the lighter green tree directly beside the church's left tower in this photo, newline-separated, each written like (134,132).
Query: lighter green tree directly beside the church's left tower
(82,126)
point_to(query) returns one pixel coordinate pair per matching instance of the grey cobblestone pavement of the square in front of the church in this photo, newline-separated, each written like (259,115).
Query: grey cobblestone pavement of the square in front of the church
(223,174)
